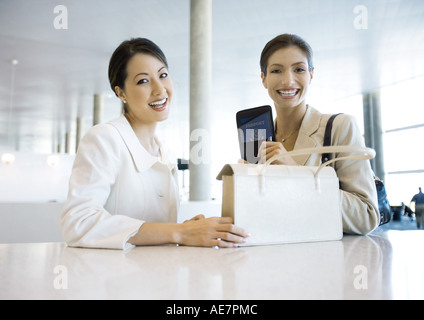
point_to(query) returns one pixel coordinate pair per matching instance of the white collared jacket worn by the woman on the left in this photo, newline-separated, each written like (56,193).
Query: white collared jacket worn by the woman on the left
(116,186)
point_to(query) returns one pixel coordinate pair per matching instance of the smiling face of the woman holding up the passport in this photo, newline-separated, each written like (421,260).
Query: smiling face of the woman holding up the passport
(288,77)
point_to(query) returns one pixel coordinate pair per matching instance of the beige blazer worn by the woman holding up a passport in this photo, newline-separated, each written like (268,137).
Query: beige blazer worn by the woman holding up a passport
(358,195)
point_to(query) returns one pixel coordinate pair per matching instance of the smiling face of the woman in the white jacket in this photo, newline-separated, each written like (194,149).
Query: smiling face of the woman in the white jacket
(148,89)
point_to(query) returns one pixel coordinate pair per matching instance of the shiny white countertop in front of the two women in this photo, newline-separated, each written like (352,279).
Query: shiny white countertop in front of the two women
(385,265)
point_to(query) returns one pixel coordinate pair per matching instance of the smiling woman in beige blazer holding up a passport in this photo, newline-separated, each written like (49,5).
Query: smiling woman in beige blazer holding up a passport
(287,71)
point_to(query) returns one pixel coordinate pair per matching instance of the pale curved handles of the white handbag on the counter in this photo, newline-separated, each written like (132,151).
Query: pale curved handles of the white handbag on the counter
(360,153)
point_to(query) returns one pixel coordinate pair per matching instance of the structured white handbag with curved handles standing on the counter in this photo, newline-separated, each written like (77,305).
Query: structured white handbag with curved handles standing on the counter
(287,204)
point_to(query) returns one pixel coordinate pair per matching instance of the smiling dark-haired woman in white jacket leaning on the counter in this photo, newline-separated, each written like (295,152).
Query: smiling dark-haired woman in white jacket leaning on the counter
(123,188)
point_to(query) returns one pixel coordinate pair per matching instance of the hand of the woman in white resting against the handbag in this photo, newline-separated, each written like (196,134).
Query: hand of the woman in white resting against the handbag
(210,232)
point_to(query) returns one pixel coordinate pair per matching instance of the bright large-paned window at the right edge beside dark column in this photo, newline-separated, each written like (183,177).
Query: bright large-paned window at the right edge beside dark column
(402,109)
